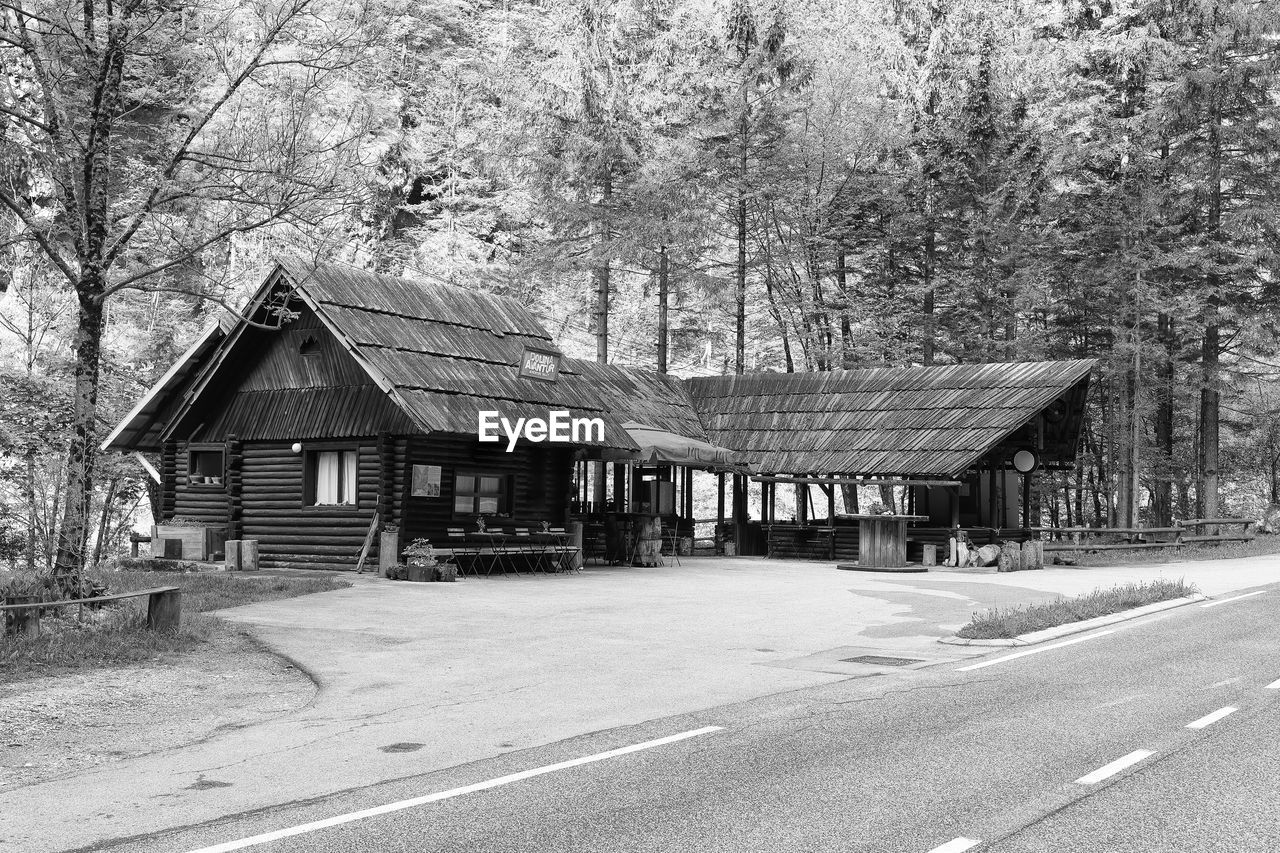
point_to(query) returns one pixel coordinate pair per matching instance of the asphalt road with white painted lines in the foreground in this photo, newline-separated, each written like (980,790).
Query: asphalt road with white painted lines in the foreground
(950,758)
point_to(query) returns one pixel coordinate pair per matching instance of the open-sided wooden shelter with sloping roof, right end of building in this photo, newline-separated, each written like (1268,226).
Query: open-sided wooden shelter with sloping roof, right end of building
(953,436)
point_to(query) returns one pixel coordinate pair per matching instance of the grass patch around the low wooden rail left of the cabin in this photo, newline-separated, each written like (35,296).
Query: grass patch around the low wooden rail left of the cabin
(118,635)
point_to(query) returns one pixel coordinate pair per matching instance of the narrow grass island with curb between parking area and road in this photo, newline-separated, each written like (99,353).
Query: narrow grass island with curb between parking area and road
(1026,619)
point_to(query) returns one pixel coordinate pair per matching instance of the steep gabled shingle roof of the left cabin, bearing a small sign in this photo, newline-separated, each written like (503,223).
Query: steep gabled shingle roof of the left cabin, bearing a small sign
(441,353)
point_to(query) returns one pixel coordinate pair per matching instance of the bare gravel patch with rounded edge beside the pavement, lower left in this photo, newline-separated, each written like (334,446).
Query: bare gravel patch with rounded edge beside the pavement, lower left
(62,726)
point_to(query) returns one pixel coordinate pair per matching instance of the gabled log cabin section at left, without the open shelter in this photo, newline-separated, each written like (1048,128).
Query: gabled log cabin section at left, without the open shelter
(341,395)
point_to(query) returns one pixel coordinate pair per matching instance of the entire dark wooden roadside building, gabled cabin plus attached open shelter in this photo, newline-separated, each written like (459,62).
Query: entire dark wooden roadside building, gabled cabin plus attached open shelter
(342,402)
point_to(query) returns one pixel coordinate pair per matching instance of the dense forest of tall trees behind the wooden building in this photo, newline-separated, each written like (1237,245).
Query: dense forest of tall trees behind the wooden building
(696,186)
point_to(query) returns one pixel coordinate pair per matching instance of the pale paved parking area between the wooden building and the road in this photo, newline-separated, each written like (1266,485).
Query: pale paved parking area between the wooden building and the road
(424,677)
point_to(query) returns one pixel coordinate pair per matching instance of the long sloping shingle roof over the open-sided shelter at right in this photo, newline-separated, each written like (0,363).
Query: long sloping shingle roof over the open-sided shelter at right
(936,421)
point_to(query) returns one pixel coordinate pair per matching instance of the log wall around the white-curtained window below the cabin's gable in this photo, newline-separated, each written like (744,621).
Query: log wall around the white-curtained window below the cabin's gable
(298,536)
